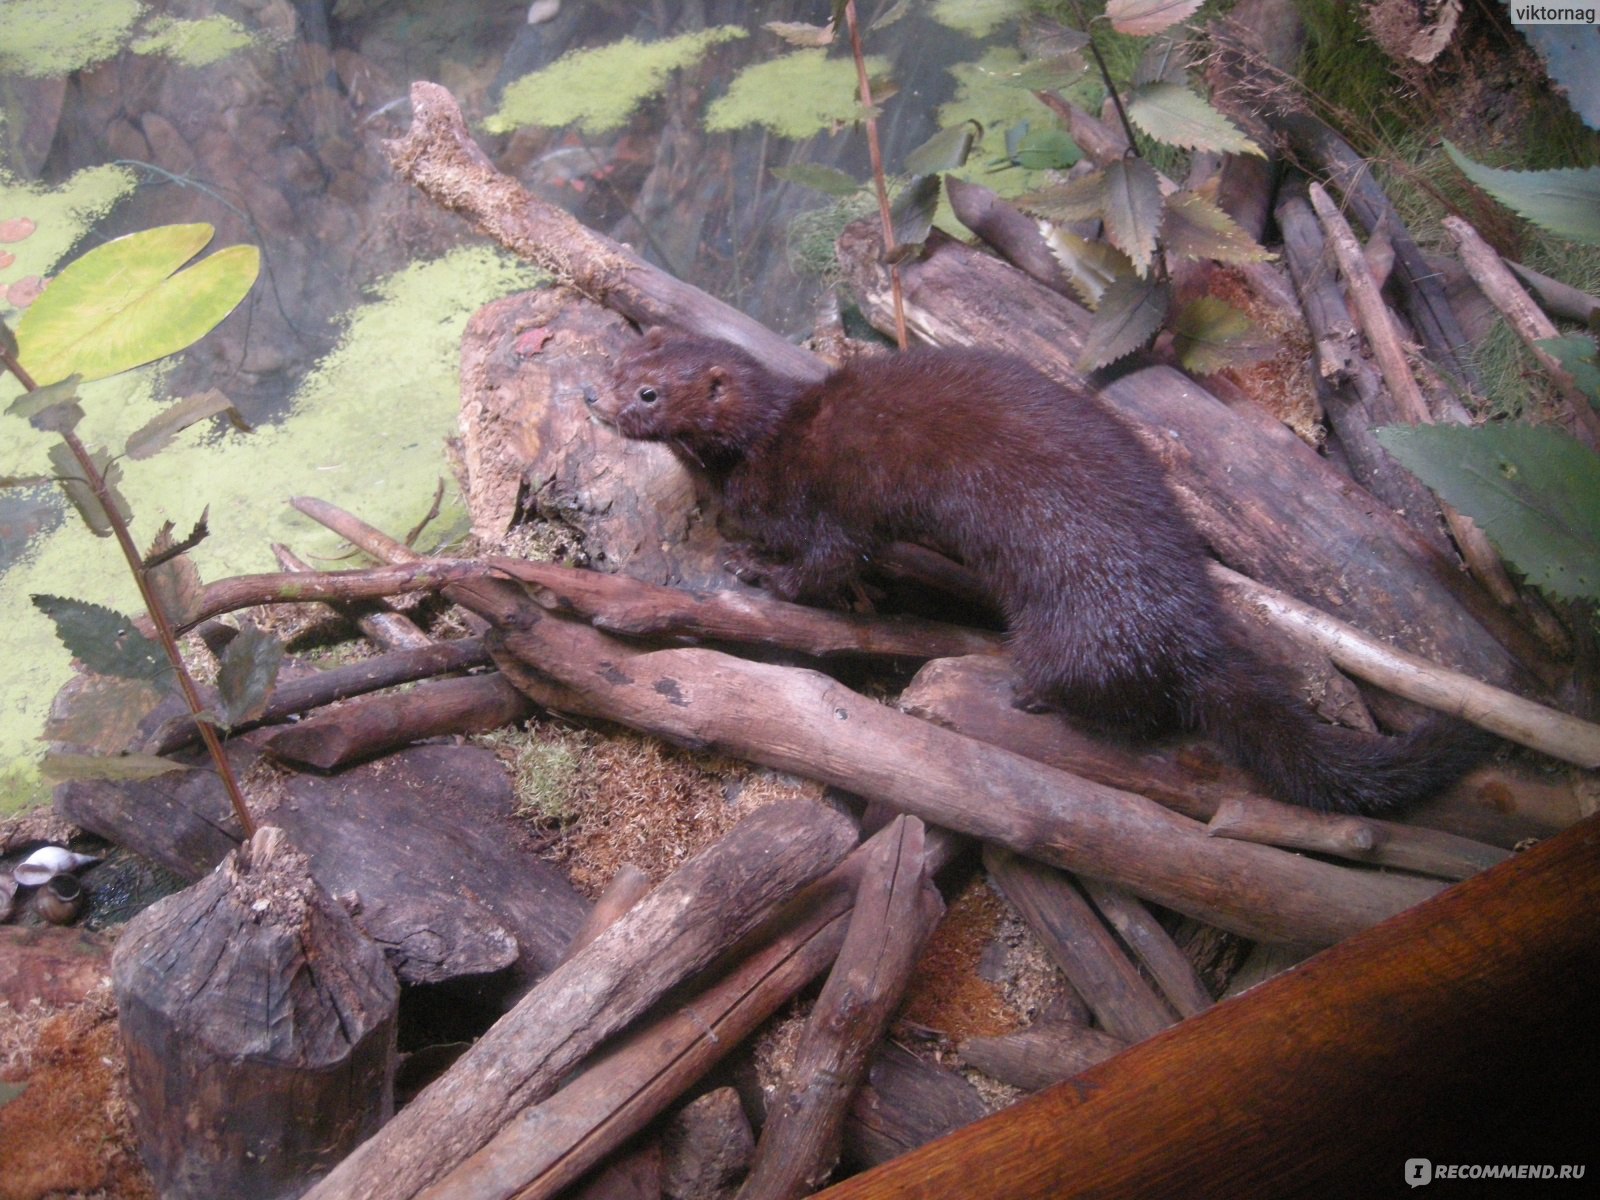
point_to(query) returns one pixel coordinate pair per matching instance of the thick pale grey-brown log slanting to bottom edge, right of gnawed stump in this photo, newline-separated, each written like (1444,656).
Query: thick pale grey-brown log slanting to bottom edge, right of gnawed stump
(700,911)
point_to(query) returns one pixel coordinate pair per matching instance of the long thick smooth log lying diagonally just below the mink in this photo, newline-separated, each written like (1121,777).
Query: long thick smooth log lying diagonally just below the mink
(809,724)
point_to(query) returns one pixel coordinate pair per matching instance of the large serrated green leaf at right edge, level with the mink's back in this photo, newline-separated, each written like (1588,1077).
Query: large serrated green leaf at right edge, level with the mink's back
(1535,492)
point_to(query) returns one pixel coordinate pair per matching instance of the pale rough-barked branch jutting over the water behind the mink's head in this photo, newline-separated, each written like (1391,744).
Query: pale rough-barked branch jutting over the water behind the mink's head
(441,159)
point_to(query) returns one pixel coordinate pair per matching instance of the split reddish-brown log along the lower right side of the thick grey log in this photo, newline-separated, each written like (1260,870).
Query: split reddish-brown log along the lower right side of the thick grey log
(553,1145)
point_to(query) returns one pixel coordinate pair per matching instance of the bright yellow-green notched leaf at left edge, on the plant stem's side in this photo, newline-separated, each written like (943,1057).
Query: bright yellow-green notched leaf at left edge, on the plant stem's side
(122,305)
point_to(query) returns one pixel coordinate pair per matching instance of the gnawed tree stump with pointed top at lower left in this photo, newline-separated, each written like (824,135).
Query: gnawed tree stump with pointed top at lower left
(260,1030)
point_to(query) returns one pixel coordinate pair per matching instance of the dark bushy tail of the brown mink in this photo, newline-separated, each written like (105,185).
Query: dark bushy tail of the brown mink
(1300,759)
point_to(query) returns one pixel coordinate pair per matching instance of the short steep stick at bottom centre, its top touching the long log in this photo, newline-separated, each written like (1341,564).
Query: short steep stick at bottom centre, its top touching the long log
(897,908)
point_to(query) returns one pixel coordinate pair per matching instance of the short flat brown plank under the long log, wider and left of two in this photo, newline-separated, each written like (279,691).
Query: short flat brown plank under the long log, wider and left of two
(1082,946)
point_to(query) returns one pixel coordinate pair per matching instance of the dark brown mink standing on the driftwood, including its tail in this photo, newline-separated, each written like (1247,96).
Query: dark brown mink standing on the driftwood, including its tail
(1050,502)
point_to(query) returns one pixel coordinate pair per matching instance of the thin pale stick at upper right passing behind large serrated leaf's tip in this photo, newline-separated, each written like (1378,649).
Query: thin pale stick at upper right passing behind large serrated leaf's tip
(1382,335)
